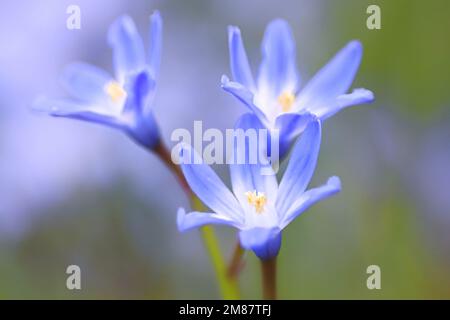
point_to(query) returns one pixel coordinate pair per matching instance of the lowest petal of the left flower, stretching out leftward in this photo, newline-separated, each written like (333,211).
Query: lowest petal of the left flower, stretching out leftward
(76,110)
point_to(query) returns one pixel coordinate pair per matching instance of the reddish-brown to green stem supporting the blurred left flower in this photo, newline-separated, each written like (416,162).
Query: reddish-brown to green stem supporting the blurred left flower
(228,286)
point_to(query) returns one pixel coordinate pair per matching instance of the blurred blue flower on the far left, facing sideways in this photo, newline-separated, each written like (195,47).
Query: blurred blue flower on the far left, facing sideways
(123,101)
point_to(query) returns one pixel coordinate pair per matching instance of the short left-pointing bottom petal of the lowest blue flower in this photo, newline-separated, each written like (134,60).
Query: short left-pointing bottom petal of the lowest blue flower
(196,219)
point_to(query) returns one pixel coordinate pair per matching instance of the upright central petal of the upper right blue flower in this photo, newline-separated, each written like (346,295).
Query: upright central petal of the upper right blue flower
(278,71)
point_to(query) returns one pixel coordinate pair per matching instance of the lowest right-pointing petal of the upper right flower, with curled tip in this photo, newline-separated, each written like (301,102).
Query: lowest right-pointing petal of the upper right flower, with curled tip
(358,96)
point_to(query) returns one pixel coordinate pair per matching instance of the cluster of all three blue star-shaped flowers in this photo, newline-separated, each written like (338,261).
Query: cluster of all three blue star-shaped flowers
(258,206)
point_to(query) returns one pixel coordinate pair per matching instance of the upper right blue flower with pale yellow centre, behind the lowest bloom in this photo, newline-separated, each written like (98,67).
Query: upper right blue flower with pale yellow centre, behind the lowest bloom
(276,97)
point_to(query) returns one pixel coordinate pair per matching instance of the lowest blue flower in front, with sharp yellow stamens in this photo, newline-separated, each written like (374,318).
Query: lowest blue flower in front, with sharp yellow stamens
(258,206)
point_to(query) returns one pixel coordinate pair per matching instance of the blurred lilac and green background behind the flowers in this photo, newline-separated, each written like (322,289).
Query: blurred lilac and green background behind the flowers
(78,193)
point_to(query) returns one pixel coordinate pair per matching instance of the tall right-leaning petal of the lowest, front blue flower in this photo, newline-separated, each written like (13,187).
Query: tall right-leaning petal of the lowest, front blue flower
(301,167)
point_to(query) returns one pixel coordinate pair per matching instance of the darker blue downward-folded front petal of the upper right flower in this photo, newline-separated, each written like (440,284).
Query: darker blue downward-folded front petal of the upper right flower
(291,125)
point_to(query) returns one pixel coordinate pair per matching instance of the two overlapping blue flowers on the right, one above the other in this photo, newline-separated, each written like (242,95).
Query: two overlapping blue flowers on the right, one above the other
(258,207)
